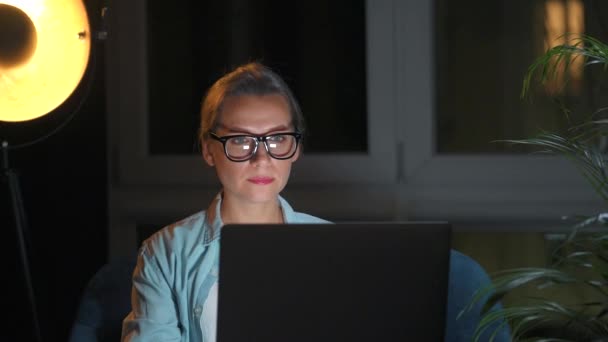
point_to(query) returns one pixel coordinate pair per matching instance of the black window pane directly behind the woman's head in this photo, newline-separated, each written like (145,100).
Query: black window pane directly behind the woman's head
(318,46)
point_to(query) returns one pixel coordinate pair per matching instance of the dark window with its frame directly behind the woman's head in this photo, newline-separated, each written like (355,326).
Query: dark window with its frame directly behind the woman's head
(352,131)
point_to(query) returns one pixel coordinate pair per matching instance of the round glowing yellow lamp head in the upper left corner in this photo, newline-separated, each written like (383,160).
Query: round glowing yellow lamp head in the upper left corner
(42,69)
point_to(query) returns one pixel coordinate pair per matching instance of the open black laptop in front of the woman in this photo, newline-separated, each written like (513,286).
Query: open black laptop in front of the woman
(374,281)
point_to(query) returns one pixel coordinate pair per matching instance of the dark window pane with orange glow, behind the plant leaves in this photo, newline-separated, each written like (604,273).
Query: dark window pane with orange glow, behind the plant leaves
(483,50)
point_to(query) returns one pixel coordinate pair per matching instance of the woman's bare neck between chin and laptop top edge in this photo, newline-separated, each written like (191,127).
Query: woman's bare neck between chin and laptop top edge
(234,211)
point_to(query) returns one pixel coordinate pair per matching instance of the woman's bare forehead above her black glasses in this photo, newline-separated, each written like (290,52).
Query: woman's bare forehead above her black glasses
(255,113)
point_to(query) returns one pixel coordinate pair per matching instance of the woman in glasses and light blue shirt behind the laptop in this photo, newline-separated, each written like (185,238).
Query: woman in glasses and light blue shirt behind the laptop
(251,126)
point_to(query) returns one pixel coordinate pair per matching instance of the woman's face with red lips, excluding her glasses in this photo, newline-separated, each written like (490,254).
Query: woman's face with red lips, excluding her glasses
(261,178)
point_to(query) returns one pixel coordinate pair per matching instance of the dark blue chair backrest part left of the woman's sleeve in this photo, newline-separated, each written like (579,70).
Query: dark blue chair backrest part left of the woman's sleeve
(105,303)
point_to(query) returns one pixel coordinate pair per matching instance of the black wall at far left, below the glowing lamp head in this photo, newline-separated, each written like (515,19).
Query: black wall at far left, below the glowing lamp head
(64,189)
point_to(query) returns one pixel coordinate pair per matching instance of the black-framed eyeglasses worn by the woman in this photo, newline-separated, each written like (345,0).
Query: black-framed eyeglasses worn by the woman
(240,148)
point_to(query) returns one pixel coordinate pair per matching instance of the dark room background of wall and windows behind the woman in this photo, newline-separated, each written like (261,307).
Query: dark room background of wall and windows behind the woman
(381,102)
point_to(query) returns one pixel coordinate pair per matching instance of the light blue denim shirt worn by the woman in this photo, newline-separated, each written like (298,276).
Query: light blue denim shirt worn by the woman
(174,274)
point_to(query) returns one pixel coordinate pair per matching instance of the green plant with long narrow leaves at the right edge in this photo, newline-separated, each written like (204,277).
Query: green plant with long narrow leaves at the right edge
(580,262)
